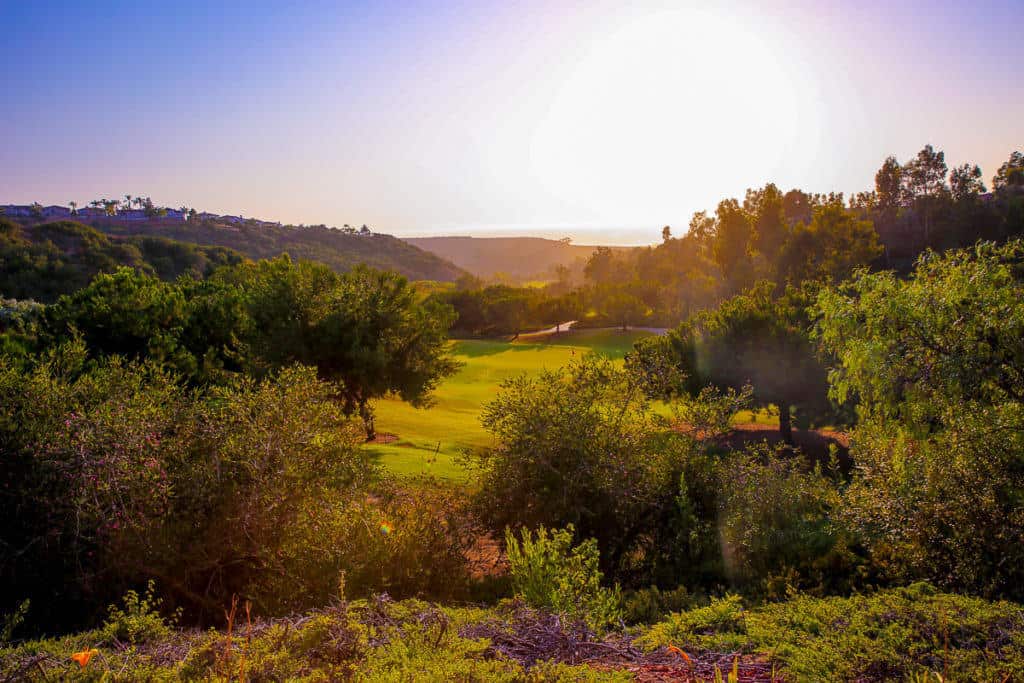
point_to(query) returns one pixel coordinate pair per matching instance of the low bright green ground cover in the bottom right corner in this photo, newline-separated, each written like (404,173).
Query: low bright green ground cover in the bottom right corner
(890,635)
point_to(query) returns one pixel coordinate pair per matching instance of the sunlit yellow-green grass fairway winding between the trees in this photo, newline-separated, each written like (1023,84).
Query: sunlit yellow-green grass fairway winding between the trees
(431,441)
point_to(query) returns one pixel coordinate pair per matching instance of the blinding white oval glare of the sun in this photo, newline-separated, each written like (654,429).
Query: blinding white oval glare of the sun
(666,102)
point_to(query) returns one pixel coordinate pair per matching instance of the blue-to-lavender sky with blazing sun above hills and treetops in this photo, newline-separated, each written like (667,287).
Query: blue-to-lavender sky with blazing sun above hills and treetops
(600,121)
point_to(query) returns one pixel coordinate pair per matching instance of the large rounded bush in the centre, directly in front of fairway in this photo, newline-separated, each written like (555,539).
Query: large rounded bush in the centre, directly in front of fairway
(577,446)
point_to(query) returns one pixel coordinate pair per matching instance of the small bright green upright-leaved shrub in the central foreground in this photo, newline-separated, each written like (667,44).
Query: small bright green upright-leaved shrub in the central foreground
(549,573)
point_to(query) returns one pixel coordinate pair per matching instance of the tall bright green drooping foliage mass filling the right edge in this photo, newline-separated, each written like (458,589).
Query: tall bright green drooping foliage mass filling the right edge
(936,363)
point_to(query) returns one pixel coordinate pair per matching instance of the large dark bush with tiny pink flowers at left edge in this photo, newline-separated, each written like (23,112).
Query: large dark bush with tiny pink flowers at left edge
(115,476)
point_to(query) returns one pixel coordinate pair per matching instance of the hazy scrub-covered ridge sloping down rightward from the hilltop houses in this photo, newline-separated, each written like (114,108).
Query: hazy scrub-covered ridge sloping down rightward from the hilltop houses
(338,249)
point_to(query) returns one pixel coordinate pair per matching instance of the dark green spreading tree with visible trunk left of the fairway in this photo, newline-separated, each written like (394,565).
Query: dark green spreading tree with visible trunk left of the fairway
(365,331)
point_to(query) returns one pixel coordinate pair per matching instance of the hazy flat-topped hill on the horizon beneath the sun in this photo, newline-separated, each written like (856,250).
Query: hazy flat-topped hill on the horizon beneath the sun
(521,259)
